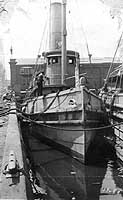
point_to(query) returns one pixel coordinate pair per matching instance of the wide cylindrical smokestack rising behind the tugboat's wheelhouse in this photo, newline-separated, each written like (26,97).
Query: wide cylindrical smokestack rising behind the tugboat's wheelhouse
(55,26)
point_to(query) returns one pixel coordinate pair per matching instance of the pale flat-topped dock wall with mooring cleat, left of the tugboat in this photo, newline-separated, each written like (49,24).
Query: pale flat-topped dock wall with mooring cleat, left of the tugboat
(13,187)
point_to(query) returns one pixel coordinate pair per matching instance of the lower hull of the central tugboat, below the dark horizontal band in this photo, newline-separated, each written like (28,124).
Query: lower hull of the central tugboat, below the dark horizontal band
(74,142)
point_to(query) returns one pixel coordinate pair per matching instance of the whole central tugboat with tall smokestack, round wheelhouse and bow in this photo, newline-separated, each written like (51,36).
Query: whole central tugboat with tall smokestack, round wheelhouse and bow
(63,113)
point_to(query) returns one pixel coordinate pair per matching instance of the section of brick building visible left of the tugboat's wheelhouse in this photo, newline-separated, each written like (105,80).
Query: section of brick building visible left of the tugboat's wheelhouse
(21,72)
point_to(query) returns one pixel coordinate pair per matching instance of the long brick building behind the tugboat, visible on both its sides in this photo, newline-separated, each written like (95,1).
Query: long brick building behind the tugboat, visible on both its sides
(22,71)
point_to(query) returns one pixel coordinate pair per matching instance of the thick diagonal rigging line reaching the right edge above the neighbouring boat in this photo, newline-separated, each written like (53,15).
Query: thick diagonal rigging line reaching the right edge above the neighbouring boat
(111,66)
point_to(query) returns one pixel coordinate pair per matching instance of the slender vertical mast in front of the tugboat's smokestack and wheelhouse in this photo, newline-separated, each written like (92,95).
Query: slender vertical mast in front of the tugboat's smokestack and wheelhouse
(64,34)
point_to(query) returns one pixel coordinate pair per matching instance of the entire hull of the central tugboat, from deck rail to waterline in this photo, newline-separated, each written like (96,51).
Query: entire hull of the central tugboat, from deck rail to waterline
(70,121)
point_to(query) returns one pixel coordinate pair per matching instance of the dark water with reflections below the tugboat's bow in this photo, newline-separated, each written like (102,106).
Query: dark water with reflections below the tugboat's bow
(64,177)
